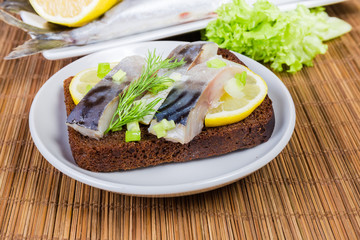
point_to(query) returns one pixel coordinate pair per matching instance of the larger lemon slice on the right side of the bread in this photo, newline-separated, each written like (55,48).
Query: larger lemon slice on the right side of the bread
(237,104)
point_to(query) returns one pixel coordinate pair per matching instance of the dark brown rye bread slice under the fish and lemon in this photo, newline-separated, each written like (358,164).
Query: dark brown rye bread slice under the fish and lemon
(112,153)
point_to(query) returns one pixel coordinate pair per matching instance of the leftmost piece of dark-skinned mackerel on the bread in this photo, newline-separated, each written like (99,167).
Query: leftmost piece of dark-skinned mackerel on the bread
(92,115)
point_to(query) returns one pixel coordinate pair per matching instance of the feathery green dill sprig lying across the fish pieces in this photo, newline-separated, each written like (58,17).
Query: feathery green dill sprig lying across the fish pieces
(129,108)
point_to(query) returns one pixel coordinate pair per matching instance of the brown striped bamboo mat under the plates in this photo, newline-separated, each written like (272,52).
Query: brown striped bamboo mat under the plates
(310,191)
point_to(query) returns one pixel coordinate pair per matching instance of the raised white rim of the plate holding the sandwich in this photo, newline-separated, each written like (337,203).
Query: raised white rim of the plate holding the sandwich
(163,190)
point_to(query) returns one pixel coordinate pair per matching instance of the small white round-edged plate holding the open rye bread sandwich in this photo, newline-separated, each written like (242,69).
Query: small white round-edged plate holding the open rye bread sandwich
(49,132)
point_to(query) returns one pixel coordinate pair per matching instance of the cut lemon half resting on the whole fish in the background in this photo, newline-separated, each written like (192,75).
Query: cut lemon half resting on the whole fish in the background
(71,13)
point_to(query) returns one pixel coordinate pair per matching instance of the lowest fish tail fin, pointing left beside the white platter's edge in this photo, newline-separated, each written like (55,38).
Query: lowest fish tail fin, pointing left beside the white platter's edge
(34,46)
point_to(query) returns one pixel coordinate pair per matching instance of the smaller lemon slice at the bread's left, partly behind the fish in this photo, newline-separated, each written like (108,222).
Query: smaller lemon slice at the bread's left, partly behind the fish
(83,82)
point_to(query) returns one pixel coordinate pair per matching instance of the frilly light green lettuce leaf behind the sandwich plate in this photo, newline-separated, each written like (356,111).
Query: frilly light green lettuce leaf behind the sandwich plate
(262,32)
